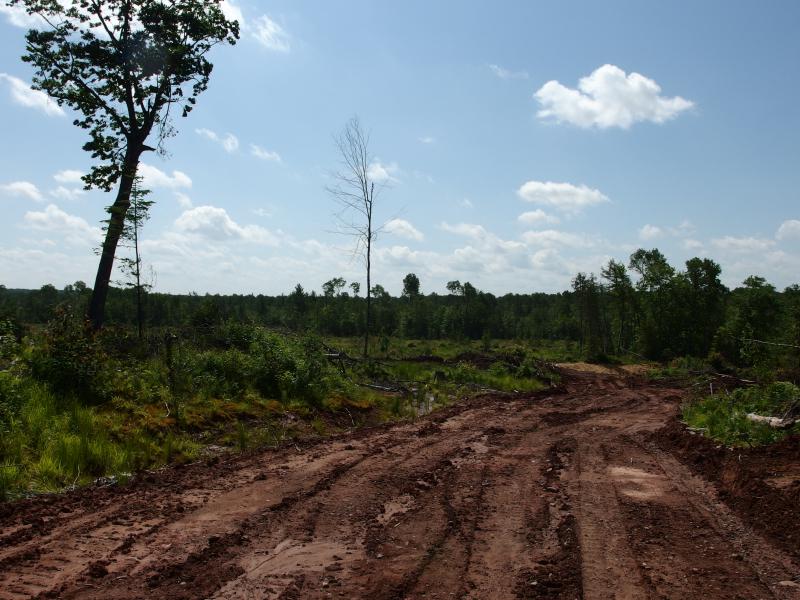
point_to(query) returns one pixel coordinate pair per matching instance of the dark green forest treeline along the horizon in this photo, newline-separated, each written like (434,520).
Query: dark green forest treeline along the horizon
(646,307)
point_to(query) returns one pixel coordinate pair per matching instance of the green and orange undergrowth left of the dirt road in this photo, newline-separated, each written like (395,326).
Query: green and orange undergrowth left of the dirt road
(76,406)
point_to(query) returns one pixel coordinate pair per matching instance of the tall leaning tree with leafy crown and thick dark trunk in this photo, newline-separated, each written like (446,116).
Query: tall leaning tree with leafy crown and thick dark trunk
(122,65)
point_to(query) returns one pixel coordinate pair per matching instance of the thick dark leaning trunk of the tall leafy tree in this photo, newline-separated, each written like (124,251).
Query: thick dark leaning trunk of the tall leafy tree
(116,222)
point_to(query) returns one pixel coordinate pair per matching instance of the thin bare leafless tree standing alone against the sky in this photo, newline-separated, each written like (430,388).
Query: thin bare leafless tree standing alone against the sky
(355,191)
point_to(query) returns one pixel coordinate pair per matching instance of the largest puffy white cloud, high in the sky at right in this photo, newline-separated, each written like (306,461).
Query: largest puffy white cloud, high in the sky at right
(608,97)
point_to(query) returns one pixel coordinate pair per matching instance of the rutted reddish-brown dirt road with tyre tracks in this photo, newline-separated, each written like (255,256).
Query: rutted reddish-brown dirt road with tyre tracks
(556,495)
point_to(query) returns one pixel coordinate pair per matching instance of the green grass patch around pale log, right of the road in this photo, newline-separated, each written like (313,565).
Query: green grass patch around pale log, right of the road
(723,417)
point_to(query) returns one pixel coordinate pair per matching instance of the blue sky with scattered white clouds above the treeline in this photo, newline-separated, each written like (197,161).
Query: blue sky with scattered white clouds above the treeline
(515,144)
